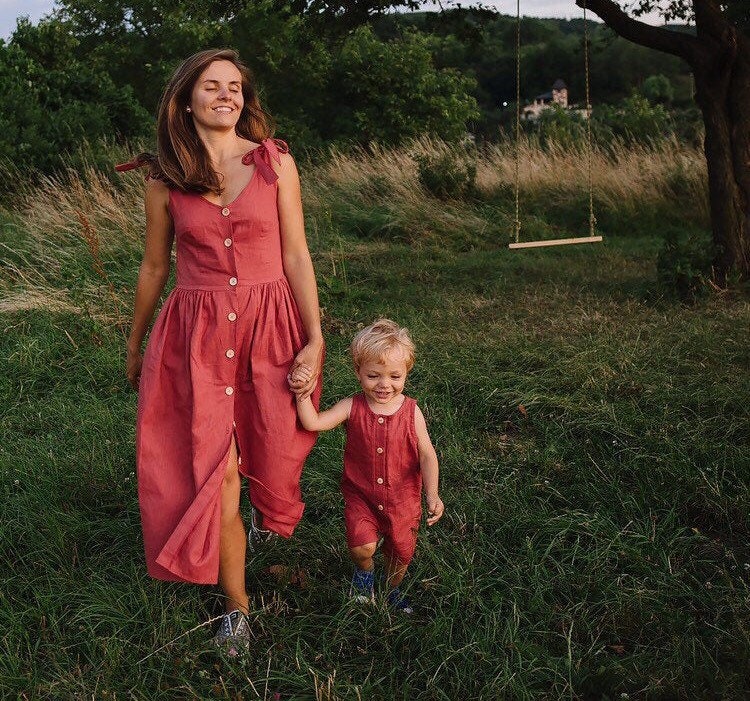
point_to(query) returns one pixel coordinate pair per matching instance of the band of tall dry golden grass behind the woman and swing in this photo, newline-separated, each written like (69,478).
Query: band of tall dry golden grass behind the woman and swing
(77,236)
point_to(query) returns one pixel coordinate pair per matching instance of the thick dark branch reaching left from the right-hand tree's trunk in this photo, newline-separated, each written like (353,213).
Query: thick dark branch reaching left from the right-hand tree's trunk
(683,45)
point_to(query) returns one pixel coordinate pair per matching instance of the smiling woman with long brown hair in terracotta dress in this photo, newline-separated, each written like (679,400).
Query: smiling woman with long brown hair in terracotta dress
(213,398)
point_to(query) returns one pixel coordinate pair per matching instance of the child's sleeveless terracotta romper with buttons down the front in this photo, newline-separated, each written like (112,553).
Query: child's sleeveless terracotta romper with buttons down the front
(382,482)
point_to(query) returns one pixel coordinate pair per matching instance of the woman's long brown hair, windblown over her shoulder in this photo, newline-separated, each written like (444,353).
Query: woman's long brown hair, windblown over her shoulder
(182,160)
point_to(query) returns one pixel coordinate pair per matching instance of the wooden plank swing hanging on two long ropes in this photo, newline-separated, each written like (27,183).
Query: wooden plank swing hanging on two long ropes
(592,237)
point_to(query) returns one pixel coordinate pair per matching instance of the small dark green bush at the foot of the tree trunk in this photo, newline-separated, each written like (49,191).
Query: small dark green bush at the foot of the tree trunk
(684,265)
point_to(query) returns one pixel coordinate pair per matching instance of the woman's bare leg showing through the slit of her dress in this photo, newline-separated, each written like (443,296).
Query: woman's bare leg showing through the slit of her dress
(233,540)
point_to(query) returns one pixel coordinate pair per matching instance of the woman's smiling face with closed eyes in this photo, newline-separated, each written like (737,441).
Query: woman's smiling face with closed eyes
(216,100)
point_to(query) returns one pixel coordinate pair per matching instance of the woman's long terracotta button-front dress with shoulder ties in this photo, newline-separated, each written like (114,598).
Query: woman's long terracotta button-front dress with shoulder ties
(216,364)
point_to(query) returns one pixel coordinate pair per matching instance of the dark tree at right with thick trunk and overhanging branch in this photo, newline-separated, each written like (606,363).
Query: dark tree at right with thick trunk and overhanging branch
(718,54)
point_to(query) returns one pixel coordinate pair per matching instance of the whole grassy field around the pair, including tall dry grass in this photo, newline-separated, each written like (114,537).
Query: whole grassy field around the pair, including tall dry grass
(594,437)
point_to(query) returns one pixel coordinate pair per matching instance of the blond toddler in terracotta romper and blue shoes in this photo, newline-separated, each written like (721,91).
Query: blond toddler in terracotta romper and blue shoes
(387,460)
